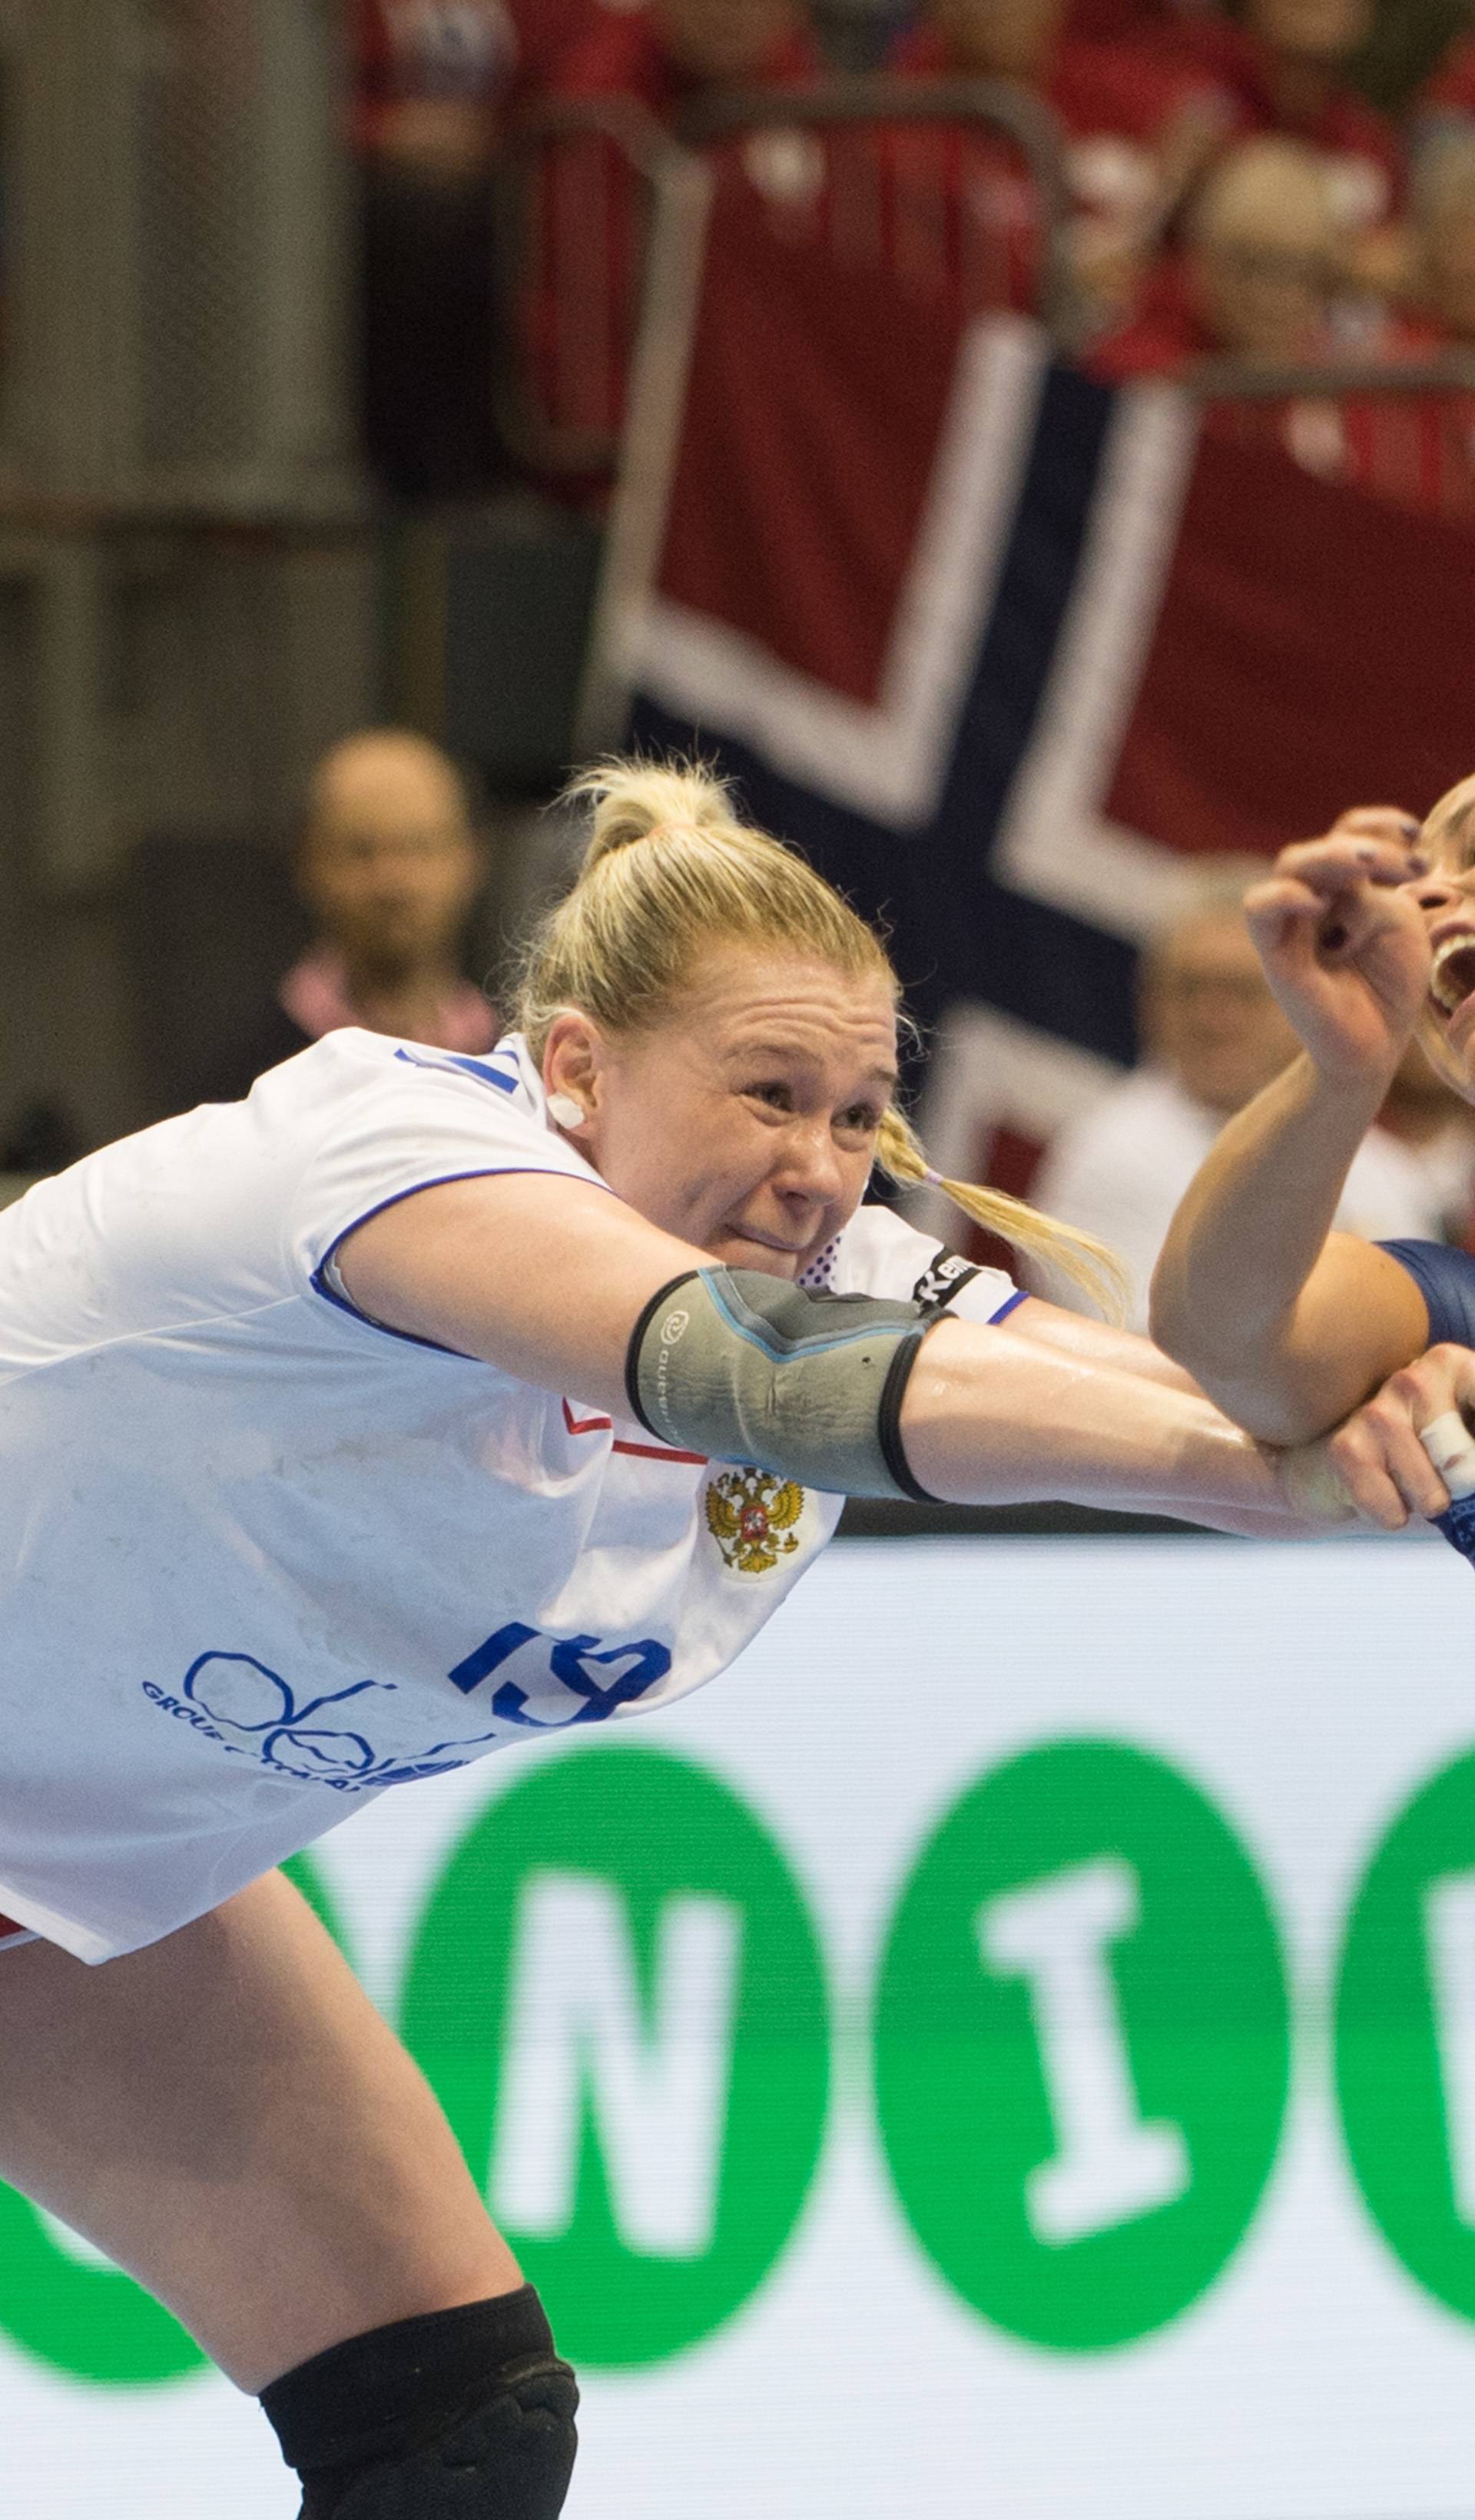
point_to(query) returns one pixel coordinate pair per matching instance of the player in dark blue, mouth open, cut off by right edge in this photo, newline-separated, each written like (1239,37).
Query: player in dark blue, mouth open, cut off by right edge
(1368,939)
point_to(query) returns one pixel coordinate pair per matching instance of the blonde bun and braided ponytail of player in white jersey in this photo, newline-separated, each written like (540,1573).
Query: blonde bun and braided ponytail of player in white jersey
(672,873)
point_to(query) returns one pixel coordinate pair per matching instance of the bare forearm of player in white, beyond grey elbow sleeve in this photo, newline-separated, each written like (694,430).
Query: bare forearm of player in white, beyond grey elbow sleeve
(995,1420)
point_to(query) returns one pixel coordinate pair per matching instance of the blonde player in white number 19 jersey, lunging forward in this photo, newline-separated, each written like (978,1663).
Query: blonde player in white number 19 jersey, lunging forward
(407,1410)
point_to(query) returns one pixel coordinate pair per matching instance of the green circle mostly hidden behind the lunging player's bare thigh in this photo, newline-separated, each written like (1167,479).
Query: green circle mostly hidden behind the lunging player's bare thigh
(64,2305)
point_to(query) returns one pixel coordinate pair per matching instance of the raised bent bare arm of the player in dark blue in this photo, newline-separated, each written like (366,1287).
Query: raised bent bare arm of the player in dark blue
(1280,1319)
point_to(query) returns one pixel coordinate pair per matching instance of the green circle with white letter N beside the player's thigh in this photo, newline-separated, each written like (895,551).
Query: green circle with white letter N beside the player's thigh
(622,2005)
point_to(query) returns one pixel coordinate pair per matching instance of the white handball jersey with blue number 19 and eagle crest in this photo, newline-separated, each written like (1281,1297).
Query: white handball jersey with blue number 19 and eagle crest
(263,1559)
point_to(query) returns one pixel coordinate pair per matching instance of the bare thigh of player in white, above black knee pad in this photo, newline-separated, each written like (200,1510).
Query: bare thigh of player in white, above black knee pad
(233,2123)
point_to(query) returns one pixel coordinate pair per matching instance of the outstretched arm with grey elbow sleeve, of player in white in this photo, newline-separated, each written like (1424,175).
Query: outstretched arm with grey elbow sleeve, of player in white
(564,1286)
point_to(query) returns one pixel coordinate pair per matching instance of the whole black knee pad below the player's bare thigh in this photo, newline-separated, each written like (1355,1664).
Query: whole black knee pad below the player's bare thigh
(460,2415)
